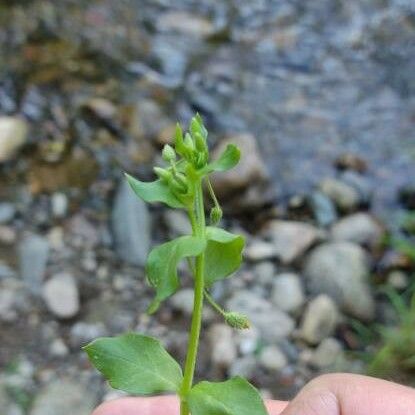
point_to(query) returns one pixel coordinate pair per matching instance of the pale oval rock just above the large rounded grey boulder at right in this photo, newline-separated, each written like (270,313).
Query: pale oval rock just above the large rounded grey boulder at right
(360,228)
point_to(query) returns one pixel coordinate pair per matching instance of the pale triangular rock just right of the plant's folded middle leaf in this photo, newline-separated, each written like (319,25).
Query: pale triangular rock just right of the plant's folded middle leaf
(291,239)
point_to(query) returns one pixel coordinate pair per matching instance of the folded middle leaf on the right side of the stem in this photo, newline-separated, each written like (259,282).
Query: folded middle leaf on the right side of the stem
(223,254)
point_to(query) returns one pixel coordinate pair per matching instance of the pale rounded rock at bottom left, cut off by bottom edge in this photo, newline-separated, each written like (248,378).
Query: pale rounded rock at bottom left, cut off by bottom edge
(64,397)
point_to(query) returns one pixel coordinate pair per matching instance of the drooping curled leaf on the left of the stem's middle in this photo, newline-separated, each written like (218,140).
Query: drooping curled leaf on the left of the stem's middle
(162,264)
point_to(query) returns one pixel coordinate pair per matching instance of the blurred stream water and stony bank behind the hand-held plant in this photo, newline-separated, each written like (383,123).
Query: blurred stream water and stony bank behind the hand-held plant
(320,96)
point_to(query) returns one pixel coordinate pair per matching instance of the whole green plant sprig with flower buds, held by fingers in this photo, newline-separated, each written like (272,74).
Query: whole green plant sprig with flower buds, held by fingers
(138,364)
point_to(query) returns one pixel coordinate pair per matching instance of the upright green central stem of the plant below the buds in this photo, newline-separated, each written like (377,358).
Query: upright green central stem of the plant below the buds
(198,225)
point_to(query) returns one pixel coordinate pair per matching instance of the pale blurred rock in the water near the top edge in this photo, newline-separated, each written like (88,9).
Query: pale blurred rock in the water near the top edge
(185,23)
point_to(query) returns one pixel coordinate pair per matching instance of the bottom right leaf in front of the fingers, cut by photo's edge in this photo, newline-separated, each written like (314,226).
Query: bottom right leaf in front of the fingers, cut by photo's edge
(233,397)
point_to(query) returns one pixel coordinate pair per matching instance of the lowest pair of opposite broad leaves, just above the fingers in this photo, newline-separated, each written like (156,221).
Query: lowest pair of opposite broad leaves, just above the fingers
(139,365)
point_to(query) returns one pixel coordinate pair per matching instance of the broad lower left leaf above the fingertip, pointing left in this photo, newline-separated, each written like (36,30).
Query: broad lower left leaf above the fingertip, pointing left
(135,363)
